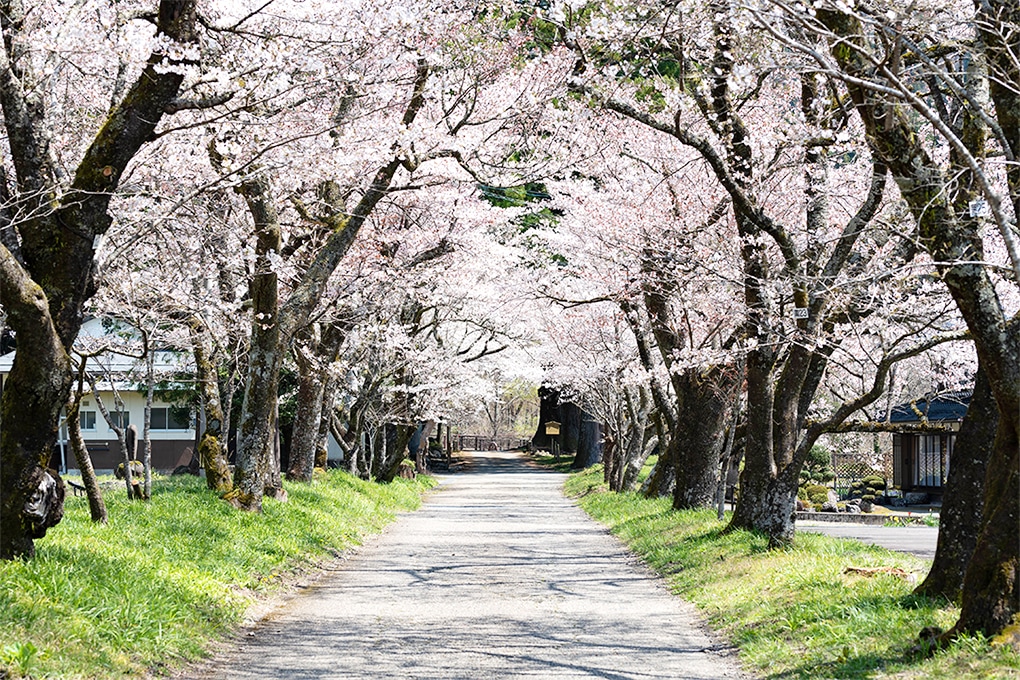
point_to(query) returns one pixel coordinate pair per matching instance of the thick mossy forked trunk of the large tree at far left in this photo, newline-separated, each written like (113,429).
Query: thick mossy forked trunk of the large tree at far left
(46,282)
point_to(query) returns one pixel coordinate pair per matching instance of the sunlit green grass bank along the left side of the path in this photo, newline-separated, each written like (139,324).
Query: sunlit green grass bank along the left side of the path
(166,578)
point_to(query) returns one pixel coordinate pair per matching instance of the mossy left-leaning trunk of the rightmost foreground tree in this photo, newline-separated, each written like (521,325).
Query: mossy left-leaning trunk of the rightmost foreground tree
(991,597)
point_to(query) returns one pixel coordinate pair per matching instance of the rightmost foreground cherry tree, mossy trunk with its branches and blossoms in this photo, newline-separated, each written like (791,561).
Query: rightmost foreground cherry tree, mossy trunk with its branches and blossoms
(905,71)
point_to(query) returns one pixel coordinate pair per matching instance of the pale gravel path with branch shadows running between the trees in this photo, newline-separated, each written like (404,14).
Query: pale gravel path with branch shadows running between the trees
(497,577)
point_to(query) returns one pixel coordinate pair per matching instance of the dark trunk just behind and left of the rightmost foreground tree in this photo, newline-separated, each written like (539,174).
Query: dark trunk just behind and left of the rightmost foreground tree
(963,500)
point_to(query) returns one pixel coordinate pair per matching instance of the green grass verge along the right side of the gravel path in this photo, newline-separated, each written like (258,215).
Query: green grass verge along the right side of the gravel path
(793,613)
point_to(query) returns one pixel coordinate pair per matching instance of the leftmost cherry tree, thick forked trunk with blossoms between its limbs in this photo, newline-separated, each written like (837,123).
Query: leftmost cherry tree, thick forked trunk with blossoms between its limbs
(53,218)
